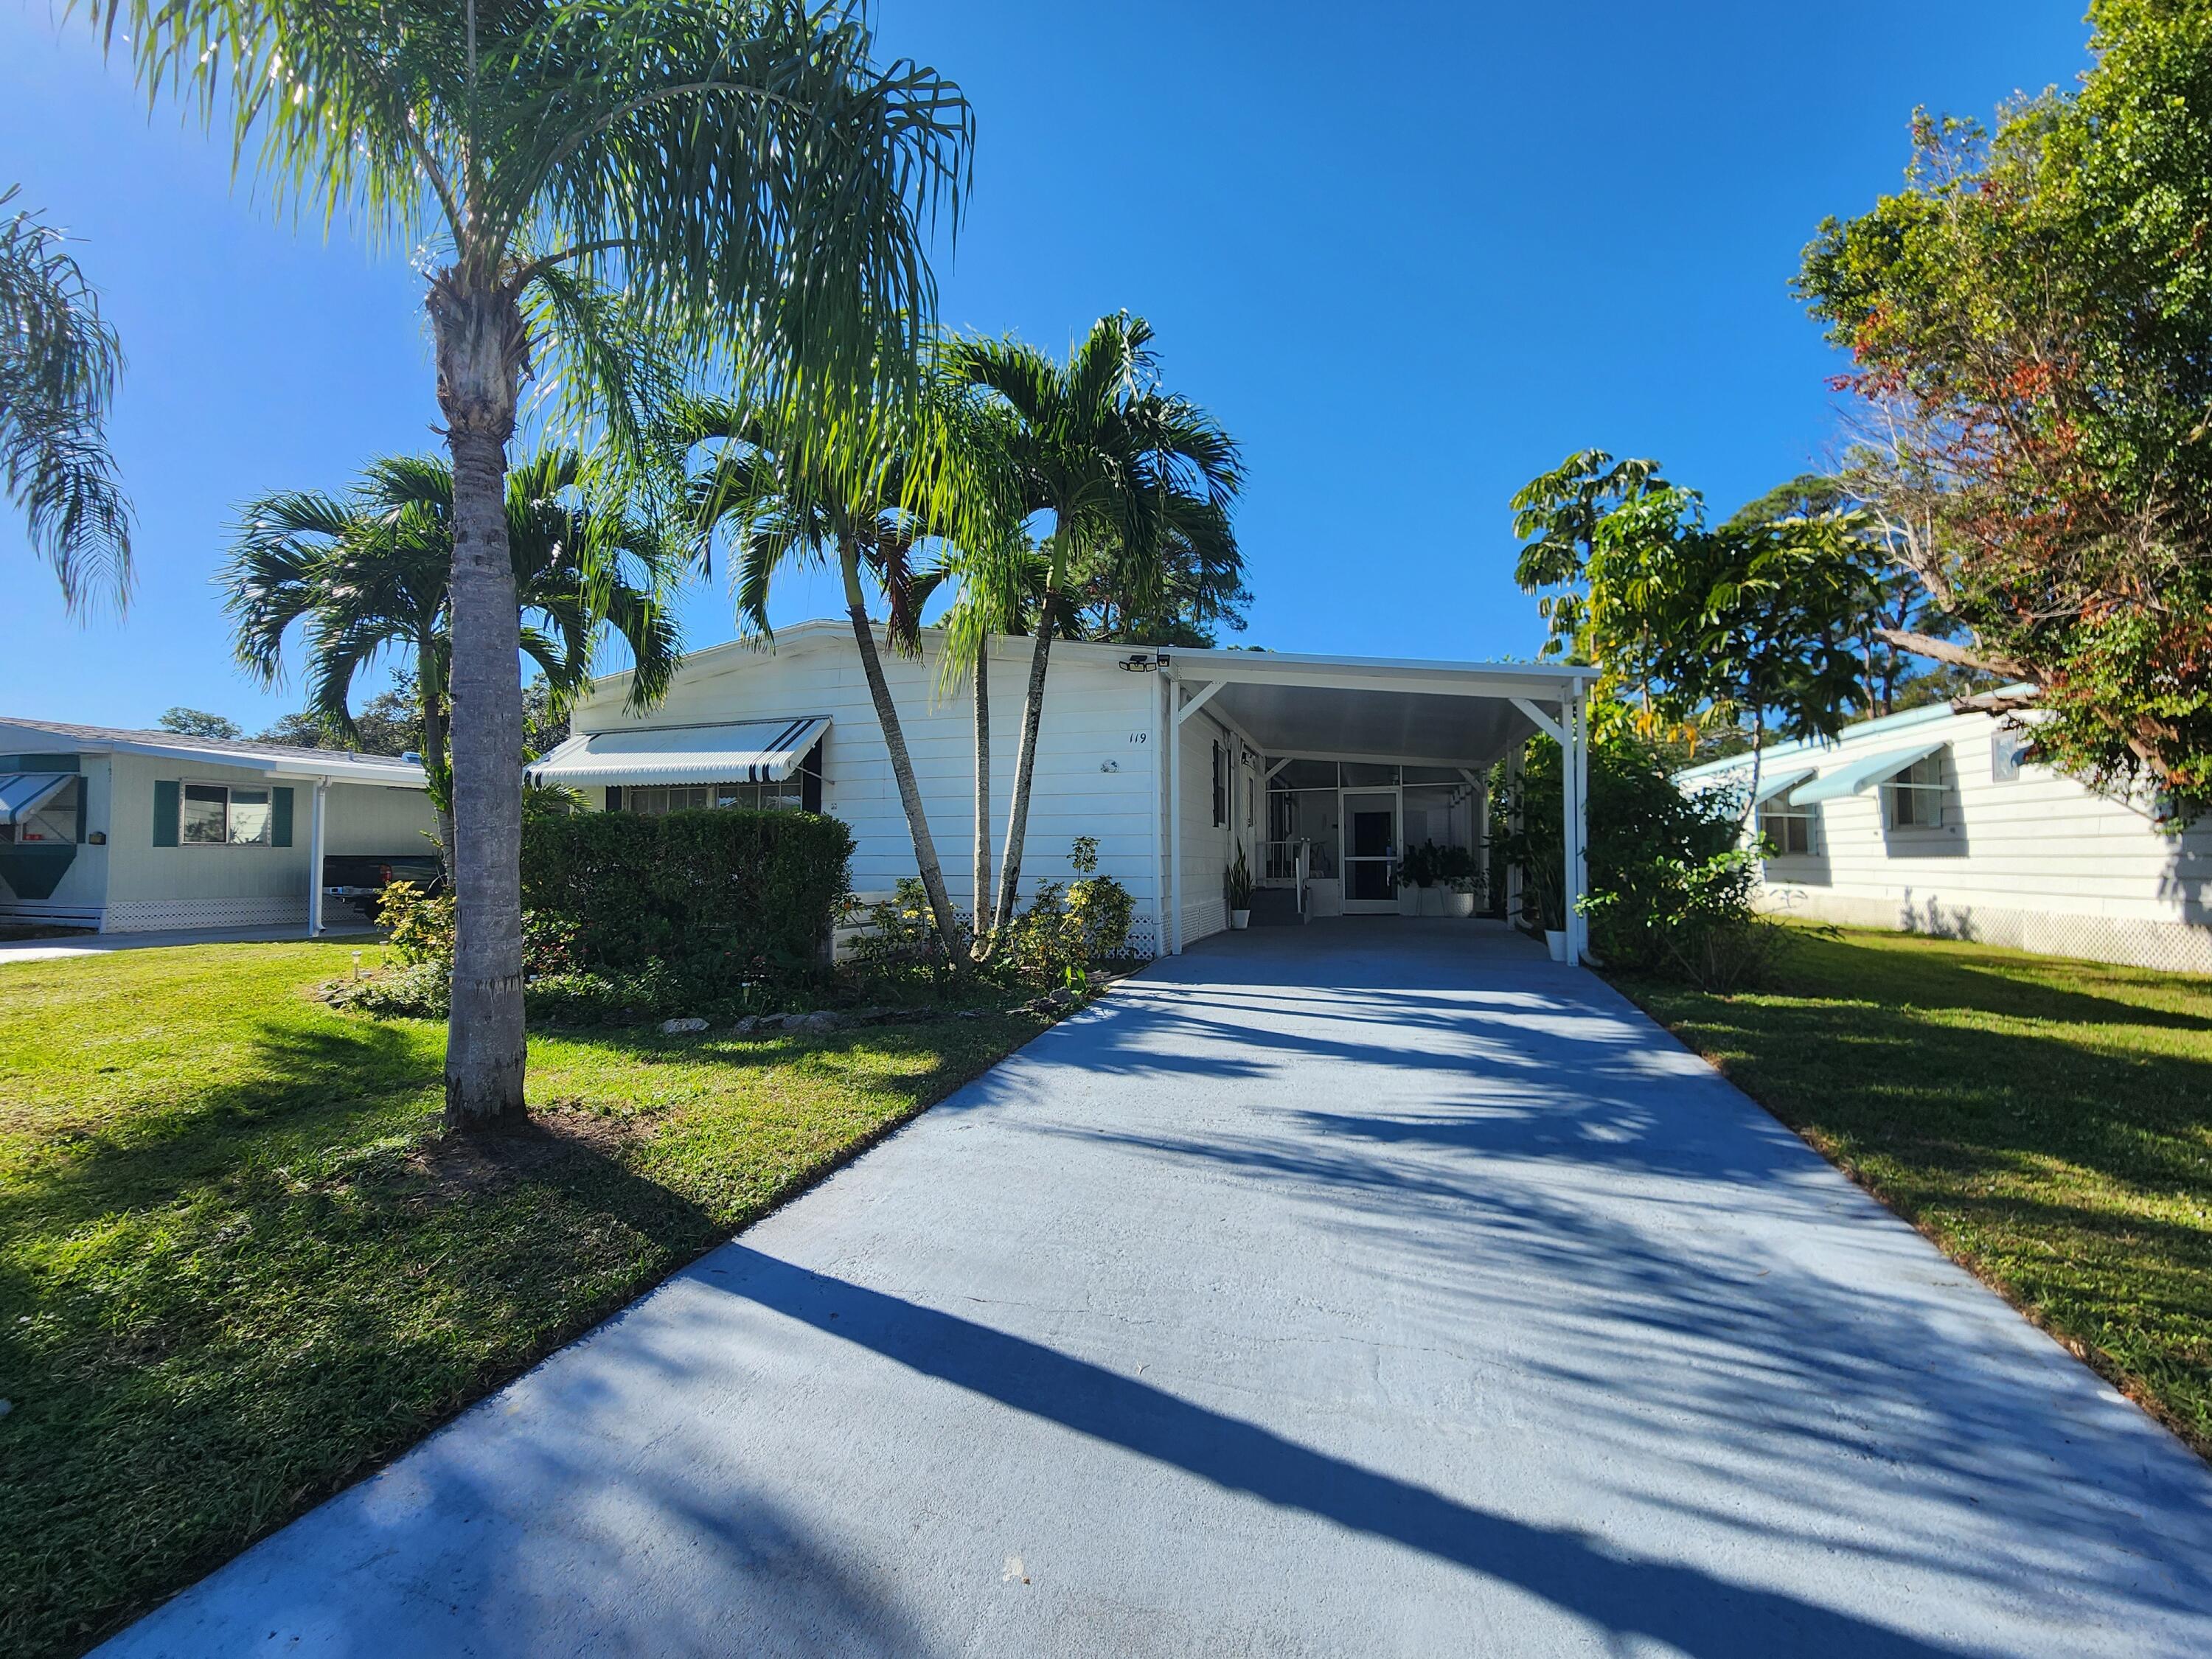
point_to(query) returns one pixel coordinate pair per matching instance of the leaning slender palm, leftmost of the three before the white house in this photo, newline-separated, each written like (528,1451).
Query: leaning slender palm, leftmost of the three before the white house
(791,492)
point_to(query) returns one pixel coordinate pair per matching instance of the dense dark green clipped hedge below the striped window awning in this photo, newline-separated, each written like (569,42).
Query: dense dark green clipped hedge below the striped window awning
(751,888)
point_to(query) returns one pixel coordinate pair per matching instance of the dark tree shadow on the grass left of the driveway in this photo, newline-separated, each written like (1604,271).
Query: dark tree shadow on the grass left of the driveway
(222,1368)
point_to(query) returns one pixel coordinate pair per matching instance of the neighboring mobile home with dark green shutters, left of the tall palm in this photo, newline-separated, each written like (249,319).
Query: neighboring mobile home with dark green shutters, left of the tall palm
(152,831)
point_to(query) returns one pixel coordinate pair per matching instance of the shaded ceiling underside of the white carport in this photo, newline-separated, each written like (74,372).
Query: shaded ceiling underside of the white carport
(1388,724)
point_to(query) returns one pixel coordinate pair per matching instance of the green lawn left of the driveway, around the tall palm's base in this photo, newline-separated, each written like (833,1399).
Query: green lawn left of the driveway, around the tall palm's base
(238,1266)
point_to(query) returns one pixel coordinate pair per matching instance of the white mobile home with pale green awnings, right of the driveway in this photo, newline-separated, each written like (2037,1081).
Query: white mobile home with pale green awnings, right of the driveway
(1937,822)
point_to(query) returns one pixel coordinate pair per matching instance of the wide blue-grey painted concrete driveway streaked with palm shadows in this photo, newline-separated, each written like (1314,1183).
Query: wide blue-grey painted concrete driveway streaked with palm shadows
(1339,1291)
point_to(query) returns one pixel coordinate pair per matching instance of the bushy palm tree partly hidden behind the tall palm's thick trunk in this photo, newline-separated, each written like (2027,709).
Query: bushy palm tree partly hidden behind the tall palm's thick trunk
(373,572)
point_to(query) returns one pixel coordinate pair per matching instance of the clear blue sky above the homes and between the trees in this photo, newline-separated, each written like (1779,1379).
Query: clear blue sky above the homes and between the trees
(1410,255)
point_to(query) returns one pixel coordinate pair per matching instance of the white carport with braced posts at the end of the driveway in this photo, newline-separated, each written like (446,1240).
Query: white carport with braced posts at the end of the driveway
(1443,718)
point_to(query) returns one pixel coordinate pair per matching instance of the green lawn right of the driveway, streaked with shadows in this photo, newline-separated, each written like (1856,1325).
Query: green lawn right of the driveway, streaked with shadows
(2047,1123)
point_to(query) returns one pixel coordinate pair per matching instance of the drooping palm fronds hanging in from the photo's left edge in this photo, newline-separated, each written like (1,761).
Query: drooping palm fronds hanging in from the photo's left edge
(59,368)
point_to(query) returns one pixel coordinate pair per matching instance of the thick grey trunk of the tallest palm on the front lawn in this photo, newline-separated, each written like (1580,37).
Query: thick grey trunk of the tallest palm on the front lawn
(481,353)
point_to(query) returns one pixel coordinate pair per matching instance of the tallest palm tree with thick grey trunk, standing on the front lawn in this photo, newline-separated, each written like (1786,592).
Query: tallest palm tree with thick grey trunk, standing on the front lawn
(605,191)
